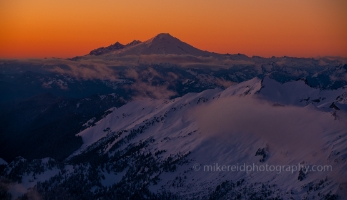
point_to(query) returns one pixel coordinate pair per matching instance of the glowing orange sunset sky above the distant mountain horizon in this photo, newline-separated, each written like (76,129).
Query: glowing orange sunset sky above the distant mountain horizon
(67,28)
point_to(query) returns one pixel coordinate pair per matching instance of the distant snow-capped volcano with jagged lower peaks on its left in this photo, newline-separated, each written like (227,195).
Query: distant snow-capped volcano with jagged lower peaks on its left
(162,44)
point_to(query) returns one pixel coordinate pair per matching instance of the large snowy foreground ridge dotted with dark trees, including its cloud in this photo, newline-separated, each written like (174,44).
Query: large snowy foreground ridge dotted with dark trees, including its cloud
(257,139)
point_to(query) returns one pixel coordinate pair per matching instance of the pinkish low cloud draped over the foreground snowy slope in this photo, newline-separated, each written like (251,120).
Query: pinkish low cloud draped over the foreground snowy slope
(285,128)
